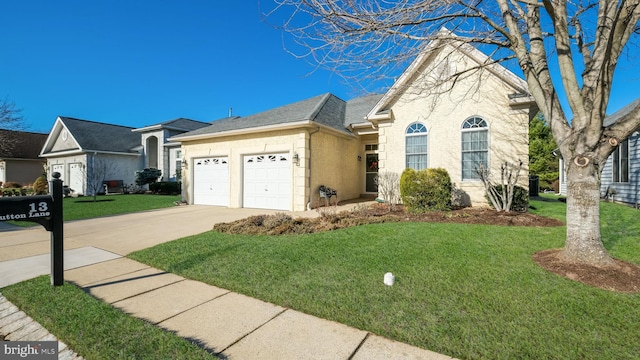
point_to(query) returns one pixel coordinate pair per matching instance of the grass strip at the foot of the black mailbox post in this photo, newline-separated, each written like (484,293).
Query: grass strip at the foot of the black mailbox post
(94,329)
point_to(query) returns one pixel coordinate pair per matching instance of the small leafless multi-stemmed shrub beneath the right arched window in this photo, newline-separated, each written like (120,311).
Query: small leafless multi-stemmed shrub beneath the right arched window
(501,194)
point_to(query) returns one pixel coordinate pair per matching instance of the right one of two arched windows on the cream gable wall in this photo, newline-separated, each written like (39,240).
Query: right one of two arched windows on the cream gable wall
(475,147)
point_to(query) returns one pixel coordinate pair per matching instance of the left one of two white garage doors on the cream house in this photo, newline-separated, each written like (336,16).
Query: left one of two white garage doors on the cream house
(211,181)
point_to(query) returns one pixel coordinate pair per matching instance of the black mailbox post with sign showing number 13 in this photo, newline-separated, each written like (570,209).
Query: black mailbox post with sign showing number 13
(45,210)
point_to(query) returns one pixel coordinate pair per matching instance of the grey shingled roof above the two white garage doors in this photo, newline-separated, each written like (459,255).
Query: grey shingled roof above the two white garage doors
(327,110)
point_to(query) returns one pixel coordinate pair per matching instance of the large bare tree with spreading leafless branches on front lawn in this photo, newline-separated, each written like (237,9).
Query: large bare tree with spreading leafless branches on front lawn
(584,40)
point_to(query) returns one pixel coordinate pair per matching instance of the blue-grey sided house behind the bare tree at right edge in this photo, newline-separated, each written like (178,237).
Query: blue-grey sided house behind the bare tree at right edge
(620,178)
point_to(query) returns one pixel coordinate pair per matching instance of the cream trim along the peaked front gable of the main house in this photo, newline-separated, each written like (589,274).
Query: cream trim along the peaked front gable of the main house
(447,38)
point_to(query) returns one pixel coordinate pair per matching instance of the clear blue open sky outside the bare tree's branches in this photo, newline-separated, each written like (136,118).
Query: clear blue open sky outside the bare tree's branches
(137,63)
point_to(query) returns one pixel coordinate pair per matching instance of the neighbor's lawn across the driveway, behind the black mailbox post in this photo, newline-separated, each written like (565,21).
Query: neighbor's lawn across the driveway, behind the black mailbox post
(106,205)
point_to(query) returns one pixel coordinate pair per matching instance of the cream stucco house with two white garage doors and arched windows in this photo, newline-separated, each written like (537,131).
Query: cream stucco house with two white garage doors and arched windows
(278,159)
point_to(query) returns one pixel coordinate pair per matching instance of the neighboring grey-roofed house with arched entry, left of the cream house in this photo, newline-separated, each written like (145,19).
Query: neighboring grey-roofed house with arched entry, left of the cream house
(86,153)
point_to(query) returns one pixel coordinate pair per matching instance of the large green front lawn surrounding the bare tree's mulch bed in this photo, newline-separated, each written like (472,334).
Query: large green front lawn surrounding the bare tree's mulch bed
(468,291)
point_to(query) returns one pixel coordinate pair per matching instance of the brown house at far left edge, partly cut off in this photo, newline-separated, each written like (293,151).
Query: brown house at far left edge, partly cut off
(19,162)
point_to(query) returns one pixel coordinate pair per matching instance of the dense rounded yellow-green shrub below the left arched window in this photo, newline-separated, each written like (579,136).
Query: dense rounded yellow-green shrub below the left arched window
(428,189)
